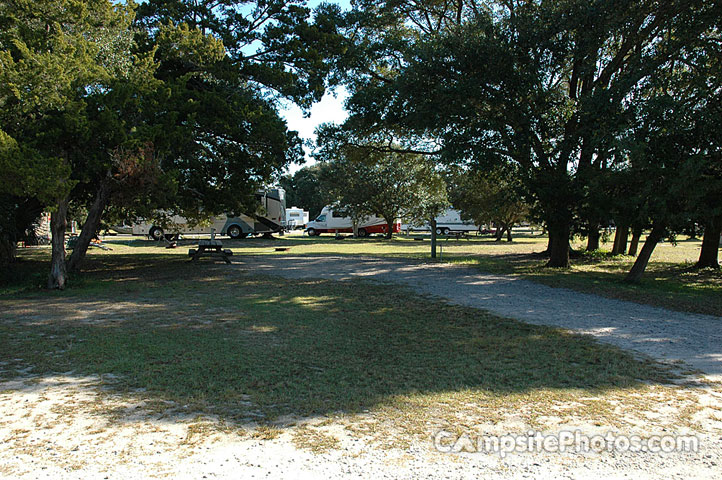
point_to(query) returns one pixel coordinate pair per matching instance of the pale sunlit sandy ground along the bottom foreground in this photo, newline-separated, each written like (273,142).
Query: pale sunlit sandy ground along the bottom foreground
(68,427)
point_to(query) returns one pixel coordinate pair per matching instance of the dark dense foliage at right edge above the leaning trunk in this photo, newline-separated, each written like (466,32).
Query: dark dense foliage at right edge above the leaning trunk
(673,150)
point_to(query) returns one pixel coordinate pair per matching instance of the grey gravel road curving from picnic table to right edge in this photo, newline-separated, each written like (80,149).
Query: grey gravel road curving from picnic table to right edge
(662,334)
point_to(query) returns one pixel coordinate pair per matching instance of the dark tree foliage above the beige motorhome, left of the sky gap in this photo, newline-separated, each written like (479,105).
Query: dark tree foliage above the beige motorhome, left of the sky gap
(224,65)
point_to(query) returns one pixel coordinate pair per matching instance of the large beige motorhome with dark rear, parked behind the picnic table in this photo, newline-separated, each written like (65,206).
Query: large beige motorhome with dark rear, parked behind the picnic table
(272,203)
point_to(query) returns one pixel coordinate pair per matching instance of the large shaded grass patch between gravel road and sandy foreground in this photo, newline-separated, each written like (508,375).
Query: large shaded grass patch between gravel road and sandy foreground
(215,339)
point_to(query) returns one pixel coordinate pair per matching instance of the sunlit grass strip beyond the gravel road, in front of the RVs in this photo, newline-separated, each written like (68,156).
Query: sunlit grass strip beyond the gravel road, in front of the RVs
(670,280)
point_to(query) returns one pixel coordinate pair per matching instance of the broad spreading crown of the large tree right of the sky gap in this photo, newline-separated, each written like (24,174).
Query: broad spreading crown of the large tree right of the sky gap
(542,85)
